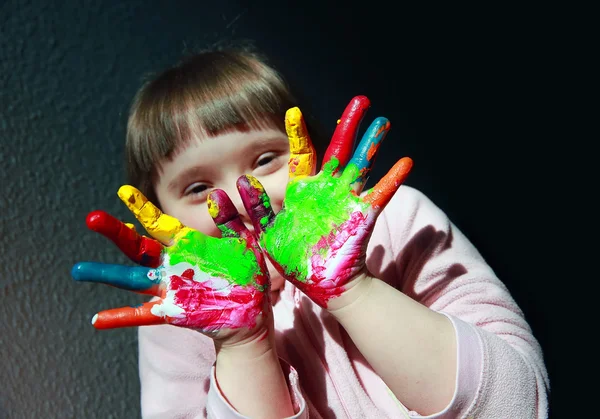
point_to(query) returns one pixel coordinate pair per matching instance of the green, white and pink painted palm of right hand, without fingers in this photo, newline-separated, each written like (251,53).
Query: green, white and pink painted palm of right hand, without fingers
(319,238)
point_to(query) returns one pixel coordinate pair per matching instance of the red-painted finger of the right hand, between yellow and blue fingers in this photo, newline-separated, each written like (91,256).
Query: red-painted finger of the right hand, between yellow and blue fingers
(342,143)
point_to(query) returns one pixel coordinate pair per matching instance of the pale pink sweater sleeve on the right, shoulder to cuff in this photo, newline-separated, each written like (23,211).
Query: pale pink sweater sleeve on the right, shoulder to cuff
(500,366)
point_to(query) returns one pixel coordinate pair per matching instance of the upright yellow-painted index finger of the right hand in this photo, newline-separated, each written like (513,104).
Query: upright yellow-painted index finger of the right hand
(303,157)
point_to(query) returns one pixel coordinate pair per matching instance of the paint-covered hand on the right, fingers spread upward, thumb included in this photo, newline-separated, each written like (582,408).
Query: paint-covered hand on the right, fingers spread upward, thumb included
(319,238)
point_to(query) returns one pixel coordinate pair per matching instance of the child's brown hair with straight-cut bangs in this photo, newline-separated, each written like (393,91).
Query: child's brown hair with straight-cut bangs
(206,94)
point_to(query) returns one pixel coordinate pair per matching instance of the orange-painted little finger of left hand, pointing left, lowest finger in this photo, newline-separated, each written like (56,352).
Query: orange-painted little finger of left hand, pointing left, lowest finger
(128,317)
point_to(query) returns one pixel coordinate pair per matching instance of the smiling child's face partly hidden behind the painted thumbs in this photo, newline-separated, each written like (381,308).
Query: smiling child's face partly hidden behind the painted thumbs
(184,182)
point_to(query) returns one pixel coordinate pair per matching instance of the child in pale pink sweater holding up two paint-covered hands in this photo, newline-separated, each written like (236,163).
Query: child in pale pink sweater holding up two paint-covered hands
(343,303)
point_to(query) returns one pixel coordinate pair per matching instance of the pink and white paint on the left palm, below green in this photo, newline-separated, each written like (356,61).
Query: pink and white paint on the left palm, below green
(209,309)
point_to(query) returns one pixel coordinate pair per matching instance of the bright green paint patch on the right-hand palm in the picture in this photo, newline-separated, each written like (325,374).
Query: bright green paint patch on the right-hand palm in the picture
(314,207)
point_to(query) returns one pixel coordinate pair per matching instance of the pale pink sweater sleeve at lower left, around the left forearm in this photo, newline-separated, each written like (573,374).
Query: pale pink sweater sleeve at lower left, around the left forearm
(177,377)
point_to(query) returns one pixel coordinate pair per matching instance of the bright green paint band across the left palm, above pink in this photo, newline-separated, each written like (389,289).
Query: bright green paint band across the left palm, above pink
(227,257)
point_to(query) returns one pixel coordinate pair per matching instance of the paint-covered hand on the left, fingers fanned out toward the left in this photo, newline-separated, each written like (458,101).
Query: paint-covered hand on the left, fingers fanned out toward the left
(218,286)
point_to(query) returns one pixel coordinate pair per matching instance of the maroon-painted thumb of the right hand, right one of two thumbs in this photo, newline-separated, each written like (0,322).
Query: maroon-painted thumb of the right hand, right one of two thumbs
(256,201)
